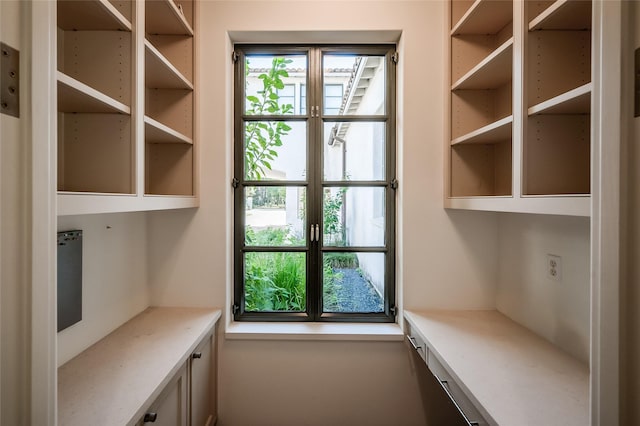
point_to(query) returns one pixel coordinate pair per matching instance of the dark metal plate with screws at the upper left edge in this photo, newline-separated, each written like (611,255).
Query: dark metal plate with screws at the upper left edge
(9,80)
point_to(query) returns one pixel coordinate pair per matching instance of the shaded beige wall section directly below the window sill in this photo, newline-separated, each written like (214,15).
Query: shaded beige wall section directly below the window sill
(318,383)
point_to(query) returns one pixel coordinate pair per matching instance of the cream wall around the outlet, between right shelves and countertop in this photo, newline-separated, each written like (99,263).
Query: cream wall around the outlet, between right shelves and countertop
(556,310)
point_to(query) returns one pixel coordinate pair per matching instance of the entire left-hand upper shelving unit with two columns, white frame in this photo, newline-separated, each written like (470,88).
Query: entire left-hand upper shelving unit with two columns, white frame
(125,105)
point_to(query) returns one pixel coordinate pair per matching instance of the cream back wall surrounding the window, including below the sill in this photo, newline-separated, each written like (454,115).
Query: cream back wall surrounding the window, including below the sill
(447,259)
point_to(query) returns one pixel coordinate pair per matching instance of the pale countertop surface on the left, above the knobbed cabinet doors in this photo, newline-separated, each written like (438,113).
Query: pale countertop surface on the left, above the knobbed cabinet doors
(115,381)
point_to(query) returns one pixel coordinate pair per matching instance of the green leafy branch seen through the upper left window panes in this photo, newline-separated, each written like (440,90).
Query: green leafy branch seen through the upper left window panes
(262,138)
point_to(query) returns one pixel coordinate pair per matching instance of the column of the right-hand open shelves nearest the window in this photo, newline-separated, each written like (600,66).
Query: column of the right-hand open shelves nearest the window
(480,143)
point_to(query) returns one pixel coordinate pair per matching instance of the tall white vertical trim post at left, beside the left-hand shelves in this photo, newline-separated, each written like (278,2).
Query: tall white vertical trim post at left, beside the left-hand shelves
(44,163)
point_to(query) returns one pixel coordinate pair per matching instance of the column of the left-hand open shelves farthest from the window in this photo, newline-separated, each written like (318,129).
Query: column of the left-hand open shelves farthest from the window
(95,143)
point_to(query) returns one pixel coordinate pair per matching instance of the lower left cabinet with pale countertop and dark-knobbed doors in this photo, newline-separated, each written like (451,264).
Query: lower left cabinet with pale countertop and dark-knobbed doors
(156,369)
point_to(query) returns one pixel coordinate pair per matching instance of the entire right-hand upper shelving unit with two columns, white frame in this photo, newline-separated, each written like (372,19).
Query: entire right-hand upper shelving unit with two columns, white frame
(520,78)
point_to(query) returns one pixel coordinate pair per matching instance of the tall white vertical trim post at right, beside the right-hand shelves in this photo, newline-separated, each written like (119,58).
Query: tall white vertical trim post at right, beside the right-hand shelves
(605,219)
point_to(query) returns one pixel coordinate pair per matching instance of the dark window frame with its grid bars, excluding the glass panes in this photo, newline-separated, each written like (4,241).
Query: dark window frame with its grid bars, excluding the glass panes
(315,184)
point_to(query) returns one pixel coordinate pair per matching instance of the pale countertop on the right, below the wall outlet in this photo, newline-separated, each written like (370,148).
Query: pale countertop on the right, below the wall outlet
(512,375)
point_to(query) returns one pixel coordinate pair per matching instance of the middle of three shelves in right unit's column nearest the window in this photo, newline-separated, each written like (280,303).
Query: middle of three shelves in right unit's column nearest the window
(494,71)
